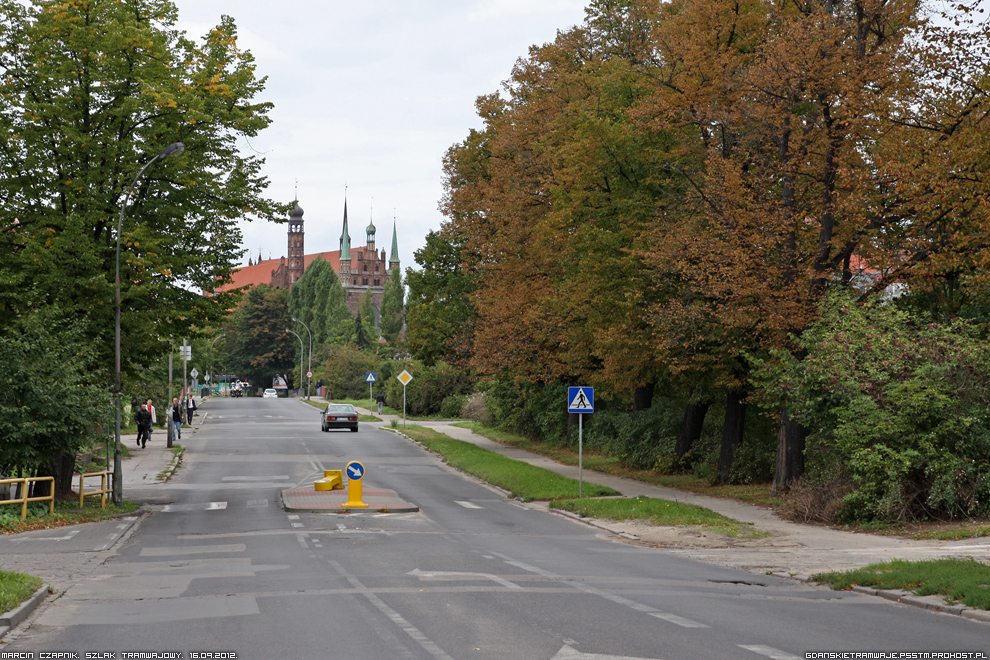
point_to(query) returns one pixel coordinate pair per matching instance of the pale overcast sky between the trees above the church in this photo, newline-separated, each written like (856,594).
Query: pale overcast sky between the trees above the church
(370,94)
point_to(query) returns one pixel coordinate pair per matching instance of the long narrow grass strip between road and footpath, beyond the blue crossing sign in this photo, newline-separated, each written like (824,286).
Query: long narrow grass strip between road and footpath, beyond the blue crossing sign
(524,481)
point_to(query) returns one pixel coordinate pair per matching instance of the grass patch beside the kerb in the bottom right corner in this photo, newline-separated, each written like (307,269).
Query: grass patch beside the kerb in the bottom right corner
(958,580)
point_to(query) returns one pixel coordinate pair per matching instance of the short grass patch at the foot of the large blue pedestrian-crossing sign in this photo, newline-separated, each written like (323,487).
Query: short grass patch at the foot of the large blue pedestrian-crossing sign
(660,512)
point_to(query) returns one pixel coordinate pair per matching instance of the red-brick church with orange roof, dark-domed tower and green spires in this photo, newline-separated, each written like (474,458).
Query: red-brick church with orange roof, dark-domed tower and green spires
(359,269)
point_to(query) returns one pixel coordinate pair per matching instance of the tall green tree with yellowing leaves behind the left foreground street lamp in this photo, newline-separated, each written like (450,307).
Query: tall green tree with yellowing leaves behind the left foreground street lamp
(90,92)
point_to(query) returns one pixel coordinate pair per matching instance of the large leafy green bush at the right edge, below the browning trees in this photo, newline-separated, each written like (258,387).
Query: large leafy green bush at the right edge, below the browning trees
(895,406)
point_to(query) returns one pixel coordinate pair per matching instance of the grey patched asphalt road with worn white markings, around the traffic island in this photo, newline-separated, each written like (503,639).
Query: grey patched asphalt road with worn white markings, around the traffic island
(219,567)
